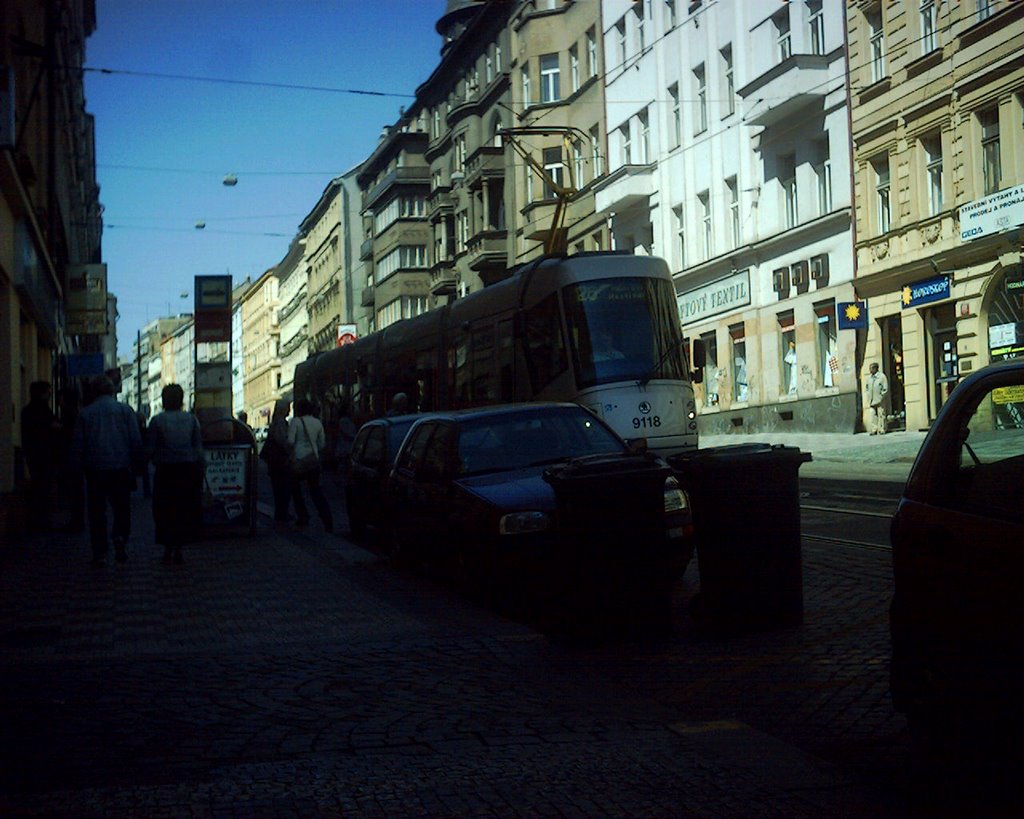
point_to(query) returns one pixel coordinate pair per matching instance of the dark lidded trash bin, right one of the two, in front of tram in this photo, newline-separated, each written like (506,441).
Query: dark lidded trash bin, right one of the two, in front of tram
(746,503)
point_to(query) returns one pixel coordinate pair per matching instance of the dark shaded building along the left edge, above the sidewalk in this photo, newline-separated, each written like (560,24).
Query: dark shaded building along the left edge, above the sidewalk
(50,213)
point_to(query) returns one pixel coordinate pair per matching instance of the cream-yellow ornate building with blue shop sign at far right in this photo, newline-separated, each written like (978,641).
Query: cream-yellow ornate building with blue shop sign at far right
(937,93)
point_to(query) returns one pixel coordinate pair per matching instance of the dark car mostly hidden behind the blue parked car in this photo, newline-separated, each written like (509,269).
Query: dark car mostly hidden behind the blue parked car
(370,462)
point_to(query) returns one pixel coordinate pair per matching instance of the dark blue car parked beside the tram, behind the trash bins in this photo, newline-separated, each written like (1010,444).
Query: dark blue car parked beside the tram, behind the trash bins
(540,493)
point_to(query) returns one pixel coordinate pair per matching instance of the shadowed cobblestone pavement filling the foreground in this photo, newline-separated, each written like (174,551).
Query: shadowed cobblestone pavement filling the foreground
(297,674)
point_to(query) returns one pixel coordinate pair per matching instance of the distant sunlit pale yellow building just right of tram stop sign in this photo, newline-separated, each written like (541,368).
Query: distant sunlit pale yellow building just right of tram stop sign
(261,337)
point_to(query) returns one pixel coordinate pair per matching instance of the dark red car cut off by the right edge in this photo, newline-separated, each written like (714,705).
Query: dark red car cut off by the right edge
(958,538)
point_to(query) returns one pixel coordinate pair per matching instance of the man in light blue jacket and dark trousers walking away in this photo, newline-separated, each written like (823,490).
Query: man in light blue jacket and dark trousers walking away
(107,448)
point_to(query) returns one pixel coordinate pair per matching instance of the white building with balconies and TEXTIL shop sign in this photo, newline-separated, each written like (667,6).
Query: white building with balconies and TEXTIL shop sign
(728,156)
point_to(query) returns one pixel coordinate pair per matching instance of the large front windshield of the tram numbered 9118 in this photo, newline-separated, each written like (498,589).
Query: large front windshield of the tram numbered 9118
(624,329)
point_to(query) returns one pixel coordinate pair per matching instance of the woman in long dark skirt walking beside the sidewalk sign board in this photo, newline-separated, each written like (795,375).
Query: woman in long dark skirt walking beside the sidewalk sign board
(177,449)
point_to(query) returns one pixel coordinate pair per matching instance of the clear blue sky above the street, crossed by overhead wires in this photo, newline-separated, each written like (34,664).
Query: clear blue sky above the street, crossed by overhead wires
(164,145)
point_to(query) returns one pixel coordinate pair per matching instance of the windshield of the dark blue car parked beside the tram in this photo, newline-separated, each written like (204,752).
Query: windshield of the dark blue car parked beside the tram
(531,439)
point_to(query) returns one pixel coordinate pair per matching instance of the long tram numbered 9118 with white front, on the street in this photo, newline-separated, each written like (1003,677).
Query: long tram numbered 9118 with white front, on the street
(600,329)
